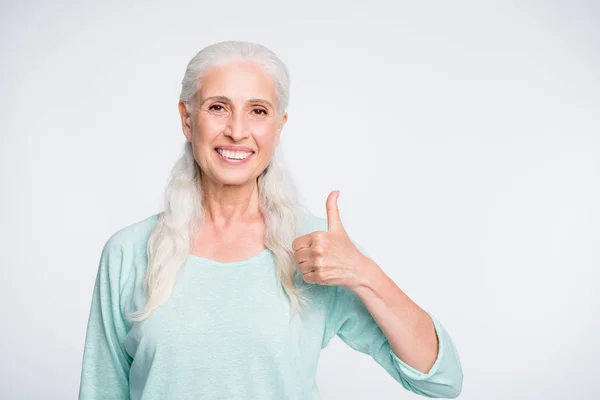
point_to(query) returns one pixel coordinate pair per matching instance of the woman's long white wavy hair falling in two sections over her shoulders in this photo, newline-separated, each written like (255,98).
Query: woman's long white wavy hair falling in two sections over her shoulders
(280,203)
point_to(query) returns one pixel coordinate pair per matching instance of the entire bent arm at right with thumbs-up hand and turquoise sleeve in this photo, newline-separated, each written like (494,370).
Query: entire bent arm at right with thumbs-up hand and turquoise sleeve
(371,314)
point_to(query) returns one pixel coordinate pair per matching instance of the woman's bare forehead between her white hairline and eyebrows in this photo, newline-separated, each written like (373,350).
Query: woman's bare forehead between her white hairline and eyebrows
(238,81)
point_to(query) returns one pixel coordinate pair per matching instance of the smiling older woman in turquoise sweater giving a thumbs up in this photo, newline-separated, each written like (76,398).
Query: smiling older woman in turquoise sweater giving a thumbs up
(233,290)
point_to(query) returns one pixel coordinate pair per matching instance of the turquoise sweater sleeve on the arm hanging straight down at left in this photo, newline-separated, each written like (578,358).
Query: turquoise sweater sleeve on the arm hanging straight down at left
(105,366)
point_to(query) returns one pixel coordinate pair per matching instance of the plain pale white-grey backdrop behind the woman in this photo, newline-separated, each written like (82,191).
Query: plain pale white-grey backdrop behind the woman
(464,137)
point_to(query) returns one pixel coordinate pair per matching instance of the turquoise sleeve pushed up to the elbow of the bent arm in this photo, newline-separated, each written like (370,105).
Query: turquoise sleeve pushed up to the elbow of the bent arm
(350,320)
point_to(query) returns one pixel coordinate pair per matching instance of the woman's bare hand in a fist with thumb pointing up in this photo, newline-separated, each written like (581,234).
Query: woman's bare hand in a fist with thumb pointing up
(331,258)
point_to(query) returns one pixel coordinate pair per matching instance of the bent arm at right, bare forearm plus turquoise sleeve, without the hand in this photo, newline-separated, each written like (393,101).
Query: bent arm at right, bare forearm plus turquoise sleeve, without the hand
(378,319)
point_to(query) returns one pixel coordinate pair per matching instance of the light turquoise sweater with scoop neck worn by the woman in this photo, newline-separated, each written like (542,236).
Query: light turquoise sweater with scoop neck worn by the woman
(225,332)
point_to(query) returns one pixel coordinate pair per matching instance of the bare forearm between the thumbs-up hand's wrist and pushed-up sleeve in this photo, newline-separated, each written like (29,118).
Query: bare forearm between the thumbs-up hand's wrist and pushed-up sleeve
(408,328)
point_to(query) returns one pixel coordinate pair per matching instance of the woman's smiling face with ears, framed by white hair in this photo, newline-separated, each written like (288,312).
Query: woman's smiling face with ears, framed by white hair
(235,107)
